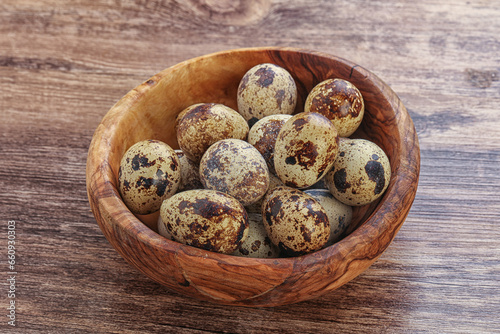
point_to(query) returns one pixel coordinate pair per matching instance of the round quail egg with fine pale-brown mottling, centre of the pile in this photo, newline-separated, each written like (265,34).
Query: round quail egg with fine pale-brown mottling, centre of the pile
(235,167)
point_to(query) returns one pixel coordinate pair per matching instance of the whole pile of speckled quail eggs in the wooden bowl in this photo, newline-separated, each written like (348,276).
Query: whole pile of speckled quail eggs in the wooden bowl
(262,181)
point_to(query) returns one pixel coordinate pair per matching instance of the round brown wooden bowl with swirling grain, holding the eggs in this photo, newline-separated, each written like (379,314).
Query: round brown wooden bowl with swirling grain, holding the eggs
(149,112)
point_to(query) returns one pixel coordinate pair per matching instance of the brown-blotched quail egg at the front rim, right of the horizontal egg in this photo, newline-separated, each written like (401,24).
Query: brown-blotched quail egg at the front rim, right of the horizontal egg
(295,221)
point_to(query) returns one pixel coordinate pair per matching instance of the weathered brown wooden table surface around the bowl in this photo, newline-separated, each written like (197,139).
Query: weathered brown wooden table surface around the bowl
(63,64)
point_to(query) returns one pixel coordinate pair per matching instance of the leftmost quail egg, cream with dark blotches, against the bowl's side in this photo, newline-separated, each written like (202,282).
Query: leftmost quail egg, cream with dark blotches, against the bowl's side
(149,173)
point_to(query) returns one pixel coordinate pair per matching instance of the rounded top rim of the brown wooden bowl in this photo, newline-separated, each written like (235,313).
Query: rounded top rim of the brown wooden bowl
(104,197)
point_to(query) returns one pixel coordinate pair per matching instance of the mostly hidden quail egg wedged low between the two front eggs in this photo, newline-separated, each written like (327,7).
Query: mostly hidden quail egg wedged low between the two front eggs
(257,244)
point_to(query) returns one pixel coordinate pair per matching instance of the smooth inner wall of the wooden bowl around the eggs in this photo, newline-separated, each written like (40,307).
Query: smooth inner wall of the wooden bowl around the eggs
(215,79)
